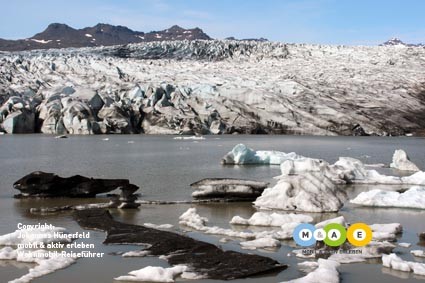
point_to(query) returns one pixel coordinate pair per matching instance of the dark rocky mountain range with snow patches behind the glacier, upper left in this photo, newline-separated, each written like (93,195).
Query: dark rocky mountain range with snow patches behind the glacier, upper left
(61,36)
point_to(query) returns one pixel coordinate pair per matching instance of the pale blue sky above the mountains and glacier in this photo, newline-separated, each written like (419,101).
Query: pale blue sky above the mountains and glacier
(301,21)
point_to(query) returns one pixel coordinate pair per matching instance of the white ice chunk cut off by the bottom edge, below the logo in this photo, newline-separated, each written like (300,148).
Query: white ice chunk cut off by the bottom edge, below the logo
(326,271)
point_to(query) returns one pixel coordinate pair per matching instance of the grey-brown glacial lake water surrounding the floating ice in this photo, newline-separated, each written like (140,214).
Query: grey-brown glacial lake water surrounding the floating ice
(164,168)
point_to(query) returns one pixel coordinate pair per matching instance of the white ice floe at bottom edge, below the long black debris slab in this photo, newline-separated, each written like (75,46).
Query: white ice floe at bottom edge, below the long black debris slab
(154,274)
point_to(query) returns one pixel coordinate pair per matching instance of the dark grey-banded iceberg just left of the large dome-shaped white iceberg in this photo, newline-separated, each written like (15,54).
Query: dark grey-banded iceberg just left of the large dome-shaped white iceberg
(228,188)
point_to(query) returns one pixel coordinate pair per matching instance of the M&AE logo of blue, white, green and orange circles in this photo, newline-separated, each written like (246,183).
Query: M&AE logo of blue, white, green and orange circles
(333,234)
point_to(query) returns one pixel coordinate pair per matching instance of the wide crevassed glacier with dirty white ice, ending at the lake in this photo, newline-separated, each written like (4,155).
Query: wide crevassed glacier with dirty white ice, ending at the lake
(214,87)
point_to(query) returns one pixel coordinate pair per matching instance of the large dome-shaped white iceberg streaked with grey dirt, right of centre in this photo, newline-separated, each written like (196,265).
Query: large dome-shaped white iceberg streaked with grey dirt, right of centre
(310,192)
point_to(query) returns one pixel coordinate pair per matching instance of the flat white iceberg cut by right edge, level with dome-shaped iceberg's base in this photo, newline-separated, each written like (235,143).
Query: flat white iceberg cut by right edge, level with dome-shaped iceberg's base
(412,198)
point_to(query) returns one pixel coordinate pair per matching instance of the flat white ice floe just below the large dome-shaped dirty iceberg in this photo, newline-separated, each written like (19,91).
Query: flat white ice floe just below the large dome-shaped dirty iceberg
(274,219)
